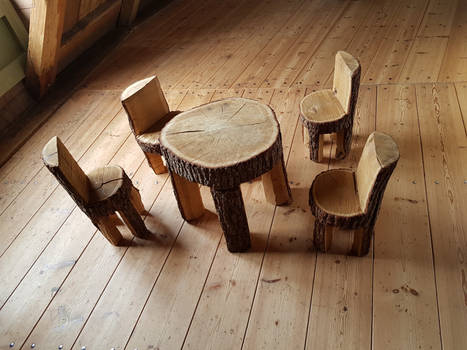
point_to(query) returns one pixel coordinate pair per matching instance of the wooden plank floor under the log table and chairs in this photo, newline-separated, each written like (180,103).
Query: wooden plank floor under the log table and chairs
(62,283)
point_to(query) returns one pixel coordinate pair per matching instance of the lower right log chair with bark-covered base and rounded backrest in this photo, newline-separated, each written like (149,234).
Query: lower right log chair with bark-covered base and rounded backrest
(351,199)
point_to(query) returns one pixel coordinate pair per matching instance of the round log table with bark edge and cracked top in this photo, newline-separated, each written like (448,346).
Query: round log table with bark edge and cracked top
(221,145)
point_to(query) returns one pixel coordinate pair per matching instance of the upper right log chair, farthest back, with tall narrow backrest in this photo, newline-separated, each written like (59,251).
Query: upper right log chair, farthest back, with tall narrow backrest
(332,111)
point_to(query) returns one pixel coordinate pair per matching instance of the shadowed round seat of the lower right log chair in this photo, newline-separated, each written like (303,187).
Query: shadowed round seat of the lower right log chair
(334,192)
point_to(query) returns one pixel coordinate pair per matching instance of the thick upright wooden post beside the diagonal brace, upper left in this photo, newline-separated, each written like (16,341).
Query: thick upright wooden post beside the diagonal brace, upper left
(45,35)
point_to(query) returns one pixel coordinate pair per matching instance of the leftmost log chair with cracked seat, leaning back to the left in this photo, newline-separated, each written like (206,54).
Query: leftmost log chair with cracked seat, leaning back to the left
(99,194)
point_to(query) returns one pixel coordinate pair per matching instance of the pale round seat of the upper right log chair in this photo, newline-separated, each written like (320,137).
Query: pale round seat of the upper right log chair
(321,106)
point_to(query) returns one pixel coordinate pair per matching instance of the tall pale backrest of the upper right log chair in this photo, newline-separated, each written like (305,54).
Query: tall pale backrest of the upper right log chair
(346,80)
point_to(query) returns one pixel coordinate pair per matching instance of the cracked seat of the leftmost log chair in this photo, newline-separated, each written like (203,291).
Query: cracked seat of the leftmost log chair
(105,182)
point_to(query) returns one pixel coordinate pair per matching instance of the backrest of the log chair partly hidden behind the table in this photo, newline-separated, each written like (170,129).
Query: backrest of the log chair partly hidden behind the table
(145,104)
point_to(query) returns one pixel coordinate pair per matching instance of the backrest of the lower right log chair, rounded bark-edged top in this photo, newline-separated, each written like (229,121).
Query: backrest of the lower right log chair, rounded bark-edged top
(378,160)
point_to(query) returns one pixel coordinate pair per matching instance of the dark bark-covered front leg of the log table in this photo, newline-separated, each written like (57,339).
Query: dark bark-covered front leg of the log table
(232,216)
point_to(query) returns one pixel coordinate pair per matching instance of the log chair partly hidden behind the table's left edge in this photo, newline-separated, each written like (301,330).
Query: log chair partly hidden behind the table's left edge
(148,112)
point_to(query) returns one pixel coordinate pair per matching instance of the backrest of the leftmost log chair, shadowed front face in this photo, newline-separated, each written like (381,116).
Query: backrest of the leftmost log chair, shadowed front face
(67,171)
